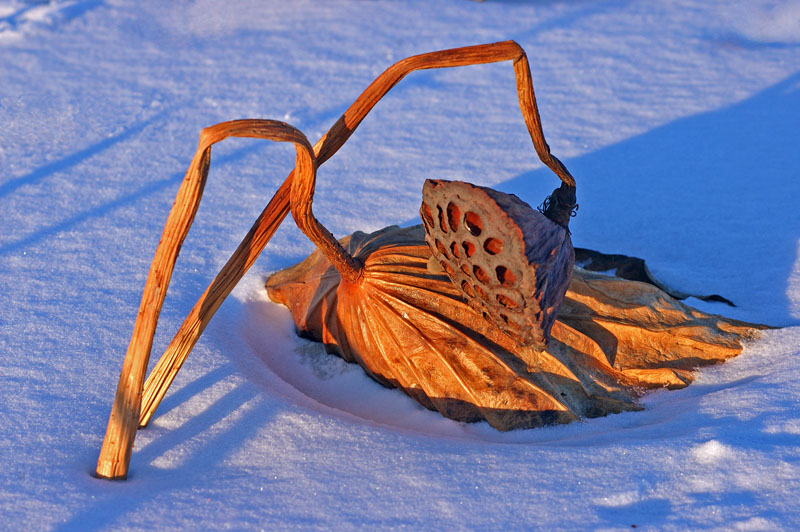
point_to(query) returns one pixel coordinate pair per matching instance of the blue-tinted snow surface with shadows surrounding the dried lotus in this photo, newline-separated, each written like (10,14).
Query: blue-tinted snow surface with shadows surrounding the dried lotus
(680,121)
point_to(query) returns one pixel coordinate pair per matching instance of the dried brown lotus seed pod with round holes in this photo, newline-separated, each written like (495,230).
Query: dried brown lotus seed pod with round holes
(511,263)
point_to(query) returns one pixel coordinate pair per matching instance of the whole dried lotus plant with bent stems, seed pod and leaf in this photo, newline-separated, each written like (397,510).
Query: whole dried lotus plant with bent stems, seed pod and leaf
(461,323)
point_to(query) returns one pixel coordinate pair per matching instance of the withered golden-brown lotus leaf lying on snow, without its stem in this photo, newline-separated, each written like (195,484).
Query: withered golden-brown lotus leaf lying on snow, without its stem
(410,328)
